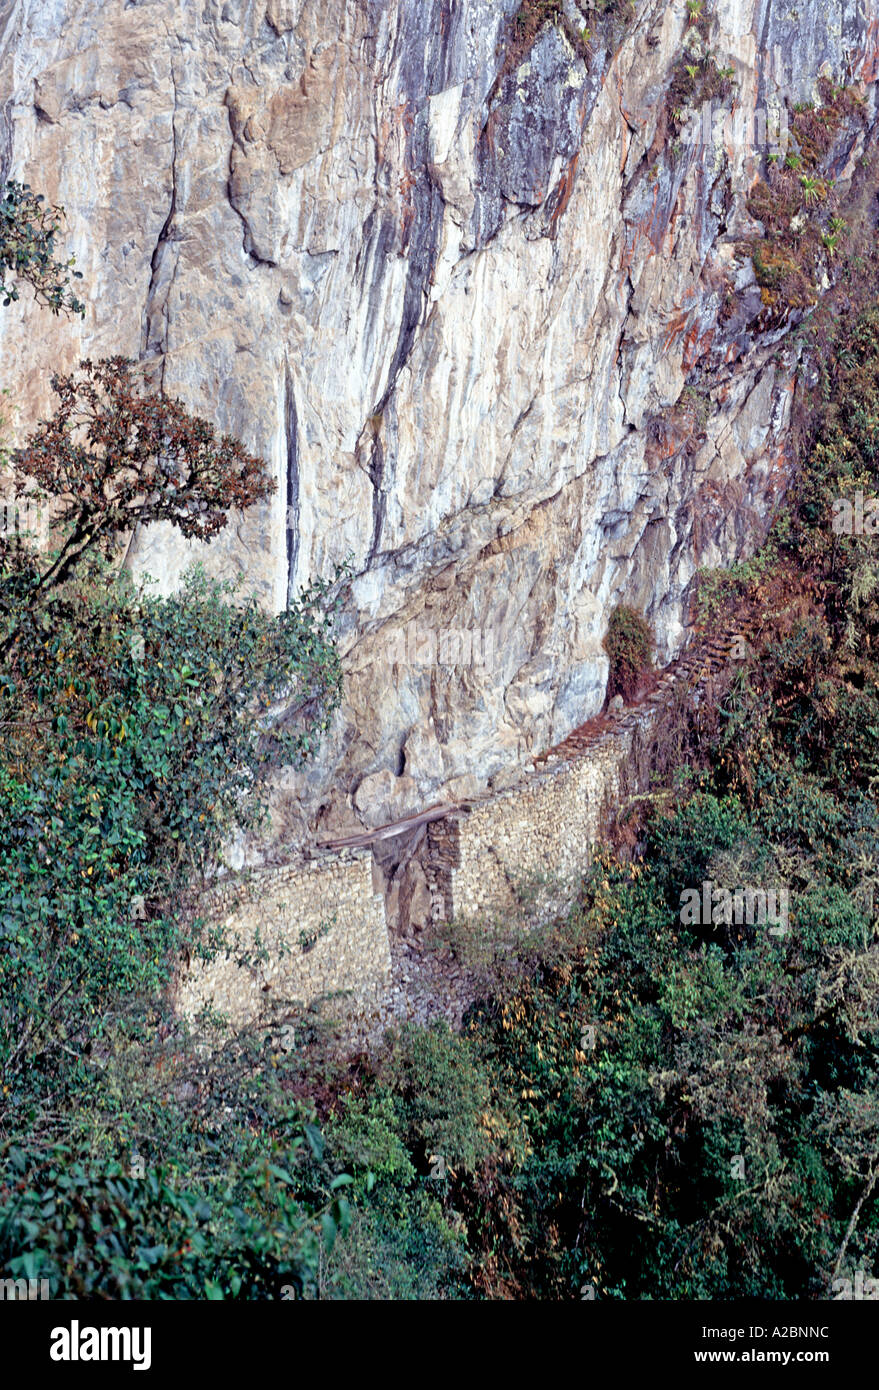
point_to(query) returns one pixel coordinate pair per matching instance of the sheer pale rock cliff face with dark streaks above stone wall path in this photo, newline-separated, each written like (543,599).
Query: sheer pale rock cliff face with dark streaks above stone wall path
(475,288)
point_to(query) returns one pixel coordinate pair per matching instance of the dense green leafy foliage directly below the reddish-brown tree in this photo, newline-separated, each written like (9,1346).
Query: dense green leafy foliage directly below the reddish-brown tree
(134,736)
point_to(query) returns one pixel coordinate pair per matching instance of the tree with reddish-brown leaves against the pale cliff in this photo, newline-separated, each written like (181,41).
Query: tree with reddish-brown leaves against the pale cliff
(116,457)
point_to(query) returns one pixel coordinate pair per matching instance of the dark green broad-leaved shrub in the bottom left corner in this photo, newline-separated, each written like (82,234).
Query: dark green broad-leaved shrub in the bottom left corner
(97,1232)
